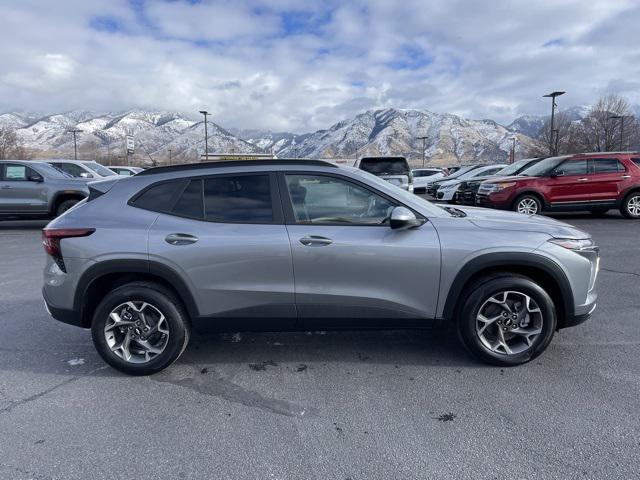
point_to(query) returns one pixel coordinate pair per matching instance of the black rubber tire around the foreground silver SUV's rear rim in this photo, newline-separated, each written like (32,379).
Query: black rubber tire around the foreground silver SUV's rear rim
(164,301)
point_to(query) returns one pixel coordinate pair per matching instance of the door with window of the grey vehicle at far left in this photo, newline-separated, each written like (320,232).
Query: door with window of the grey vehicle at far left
(18,194)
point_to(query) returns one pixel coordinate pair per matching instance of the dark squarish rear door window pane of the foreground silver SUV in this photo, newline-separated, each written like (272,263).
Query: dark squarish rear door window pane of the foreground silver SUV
(239,199)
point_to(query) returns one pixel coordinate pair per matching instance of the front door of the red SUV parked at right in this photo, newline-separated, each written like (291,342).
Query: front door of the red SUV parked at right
(570,183)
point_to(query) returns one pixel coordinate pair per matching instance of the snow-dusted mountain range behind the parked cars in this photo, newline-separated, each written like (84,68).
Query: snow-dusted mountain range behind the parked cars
(450,138)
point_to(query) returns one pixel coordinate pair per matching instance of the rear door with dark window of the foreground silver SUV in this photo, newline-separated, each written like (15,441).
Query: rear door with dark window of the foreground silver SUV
(225,234)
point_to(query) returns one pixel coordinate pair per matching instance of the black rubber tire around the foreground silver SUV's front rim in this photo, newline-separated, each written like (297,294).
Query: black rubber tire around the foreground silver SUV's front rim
(475,297)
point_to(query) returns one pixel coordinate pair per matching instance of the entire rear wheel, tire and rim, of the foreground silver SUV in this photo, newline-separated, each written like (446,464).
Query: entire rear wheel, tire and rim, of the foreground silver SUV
(140,328)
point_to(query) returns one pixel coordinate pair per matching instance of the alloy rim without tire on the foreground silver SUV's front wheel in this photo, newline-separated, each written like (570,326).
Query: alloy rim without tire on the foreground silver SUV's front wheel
(509,322)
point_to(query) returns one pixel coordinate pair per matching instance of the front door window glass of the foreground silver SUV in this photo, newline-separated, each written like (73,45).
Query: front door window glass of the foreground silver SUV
(318,199)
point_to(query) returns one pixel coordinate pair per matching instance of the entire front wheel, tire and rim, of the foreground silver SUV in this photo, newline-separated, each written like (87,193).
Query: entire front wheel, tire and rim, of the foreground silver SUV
(506,320)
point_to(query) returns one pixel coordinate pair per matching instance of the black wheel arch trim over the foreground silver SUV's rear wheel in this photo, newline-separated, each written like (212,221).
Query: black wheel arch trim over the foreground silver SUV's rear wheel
(131,266)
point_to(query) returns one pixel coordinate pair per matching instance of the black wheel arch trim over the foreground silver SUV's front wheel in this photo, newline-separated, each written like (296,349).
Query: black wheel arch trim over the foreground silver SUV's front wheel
(511,260)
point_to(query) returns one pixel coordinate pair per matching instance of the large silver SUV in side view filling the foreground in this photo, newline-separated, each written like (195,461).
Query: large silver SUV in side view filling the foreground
(279,244)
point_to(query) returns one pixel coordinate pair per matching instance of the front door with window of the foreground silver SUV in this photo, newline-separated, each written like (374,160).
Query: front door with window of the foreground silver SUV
(348,263)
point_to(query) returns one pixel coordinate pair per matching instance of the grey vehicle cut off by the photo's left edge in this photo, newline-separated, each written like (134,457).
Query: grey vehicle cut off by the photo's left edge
(31,189)
